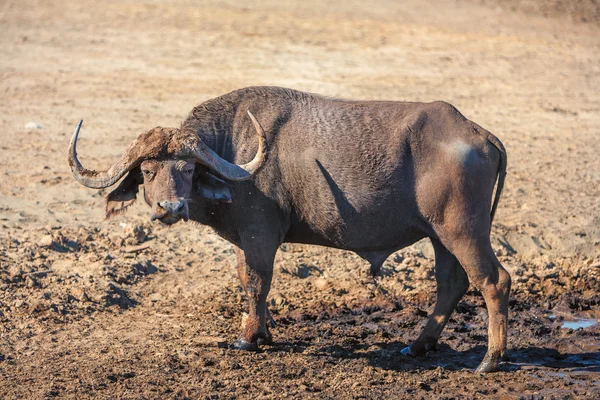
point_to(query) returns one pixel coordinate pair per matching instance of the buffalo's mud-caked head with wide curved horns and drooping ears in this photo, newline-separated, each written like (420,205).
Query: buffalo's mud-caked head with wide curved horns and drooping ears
(174,166)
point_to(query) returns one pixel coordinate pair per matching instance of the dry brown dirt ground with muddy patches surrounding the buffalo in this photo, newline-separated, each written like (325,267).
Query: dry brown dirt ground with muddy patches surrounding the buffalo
(129,309)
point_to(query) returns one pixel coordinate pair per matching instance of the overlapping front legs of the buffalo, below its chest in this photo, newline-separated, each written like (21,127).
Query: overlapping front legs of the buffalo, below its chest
(255,270)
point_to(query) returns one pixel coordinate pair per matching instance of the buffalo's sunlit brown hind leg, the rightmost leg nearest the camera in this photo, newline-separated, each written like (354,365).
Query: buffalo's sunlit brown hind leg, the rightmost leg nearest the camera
(487,275)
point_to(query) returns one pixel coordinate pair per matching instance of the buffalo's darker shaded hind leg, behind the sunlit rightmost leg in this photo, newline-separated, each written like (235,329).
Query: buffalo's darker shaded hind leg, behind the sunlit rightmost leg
(452,283)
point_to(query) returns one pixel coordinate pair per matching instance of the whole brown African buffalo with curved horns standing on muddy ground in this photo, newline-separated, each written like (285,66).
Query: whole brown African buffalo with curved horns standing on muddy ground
(366,176)
